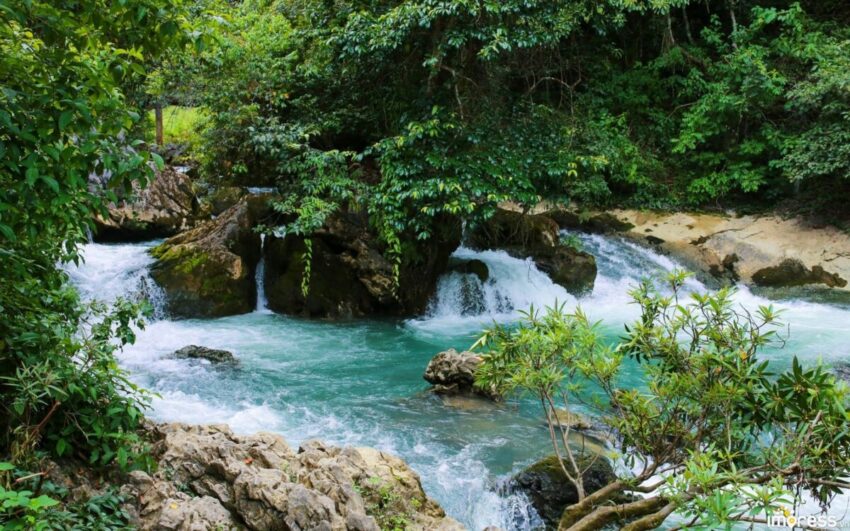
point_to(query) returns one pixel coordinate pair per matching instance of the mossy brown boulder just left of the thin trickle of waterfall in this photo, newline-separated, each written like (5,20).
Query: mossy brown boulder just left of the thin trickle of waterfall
(209,270)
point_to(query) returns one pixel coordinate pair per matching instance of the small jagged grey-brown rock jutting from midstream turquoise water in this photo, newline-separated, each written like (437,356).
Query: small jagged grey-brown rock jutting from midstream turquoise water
(453,373)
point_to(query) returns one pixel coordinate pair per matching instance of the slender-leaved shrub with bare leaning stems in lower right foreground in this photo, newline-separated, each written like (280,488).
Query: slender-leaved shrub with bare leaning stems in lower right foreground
(712,435)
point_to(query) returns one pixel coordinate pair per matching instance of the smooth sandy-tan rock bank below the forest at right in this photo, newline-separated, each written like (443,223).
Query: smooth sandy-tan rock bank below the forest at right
(764,250)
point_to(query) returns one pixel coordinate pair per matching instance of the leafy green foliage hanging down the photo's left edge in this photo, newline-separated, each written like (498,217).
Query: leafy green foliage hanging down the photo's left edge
(66,69)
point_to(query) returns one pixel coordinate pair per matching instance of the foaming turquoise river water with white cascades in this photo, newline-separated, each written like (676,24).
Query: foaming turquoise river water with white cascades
(360,382)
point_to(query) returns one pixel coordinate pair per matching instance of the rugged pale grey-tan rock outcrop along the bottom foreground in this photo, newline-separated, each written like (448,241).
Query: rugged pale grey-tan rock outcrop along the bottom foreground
(209,478)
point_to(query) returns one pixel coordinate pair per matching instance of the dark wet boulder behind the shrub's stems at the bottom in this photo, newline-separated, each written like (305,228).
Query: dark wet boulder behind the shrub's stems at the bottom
(549,490)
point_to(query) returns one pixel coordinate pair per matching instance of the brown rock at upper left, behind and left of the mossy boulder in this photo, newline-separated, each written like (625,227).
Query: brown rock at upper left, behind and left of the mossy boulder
(165,207)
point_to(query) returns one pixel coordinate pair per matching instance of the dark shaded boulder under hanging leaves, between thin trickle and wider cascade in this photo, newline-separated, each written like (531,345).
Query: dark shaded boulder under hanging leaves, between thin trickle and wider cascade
(349,274)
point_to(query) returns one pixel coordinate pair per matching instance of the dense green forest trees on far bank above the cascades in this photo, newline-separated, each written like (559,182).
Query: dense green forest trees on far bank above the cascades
(423,108)
